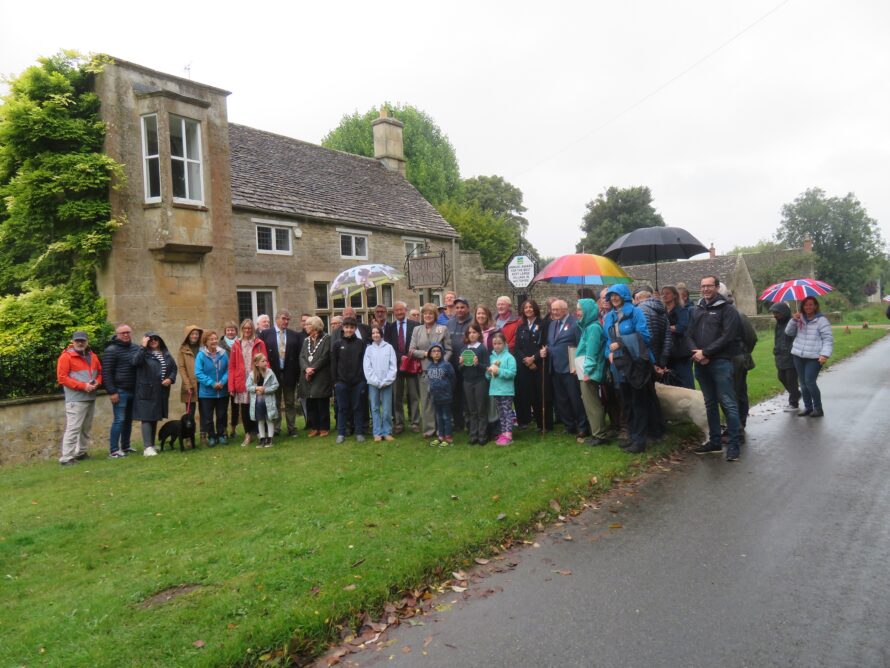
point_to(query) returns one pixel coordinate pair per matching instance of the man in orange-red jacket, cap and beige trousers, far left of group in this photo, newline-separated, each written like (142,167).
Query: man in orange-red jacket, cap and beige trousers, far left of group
(79,372)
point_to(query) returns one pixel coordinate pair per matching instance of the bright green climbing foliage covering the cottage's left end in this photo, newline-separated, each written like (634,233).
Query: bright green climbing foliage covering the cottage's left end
(56,224)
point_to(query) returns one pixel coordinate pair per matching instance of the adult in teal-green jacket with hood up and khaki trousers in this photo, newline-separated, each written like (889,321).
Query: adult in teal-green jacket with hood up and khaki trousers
(590,362)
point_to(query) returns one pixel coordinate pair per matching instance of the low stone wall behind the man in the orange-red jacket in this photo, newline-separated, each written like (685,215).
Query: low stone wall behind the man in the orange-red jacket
(31,429)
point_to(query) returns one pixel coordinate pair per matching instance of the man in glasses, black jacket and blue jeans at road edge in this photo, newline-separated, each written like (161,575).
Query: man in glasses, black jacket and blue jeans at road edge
(713,338)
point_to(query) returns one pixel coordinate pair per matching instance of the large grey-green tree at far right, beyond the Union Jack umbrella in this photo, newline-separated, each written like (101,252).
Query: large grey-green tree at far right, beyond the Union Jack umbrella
(847,242)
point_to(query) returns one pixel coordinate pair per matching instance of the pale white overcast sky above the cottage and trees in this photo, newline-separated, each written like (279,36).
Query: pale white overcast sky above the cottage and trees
(726,110)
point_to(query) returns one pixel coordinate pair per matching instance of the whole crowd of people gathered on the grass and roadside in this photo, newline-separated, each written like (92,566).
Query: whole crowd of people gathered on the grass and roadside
(450,369)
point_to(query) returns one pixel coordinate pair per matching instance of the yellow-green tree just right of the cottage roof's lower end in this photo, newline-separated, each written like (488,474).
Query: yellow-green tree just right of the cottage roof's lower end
(493,236)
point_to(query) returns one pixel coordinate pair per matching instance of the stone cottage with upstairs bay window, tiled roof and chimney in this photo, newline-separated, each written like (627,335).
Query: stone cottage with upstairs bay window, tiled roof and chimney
(225,221)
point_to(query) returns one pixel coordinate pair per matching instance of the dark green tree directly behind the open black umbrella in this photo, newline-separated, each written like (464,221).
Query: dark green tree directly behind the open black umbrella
(614,213)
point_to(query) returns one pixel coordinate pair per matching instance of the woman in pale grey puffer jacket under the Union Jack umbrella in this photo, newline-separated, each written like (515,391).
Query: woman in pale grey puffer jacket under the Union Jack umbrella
(813,345)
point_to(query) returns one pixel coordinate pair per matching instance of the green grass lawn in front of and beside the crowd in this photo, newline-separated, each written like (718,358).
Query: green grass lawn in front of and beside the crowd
(284,543)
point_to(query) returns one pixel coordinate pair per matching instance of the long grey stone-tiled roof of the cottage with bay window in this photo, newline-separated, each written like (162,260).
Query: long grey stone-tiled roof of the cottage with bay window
(287,176)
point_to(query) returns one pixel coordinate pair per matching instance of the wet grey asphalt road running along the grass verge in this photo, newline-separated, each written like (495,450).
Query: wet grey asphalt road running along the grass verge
(780,559)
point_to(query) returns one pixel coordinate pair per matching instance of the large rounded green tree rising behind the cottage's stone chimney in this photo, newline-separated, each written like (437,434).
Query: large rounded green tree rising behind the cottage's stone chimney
(431,164)
